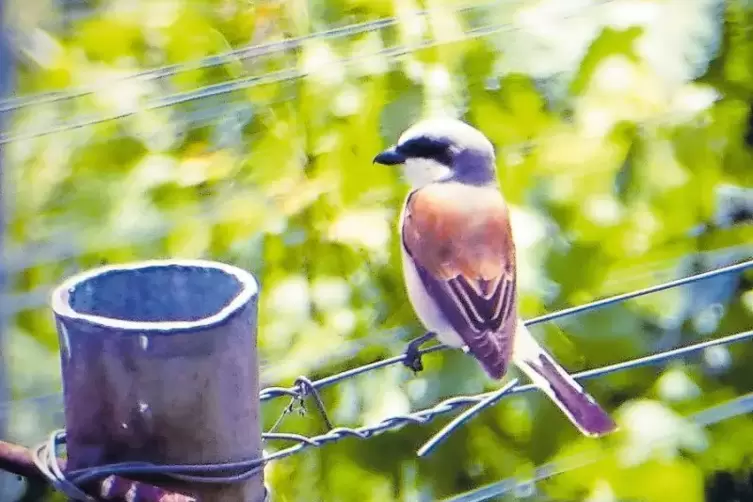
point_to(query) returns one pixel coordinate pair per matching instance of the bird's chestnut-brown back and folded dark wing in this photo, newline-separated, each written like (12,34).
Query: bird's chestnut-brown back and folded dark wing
(461,242)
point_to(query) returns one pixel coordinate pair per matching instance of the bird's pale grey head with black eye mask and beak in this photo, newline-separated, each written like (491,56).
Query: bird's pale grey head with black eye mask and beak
(438,150)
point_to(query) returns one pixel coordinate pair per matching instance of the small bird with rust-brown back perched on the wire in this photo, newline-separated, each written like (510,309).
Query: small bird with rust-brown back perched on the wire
(458,260)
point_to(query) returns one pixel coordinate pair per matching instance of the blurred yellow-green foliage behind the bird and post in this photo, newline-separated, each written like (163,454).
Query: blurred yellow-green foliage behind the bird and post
(243,131)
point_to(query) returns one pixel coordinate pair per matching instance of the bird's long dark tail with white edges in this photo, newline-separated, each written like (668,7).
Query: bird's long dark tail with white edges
(582,410)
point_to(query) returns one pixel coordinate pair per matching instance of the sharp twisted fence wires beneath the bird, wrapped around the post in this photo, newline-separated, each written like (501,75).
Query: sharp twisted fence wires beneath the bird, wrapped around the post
(216,473)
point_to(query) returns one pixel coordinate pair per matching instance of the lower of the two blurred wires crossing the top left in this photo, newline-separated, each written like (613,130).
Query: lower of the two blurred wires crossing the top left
(390,54)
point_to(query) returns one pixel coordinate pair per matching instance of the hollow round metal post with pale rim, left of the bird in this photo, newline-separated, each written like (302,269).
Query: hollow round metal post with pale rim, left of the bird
(159,364)
